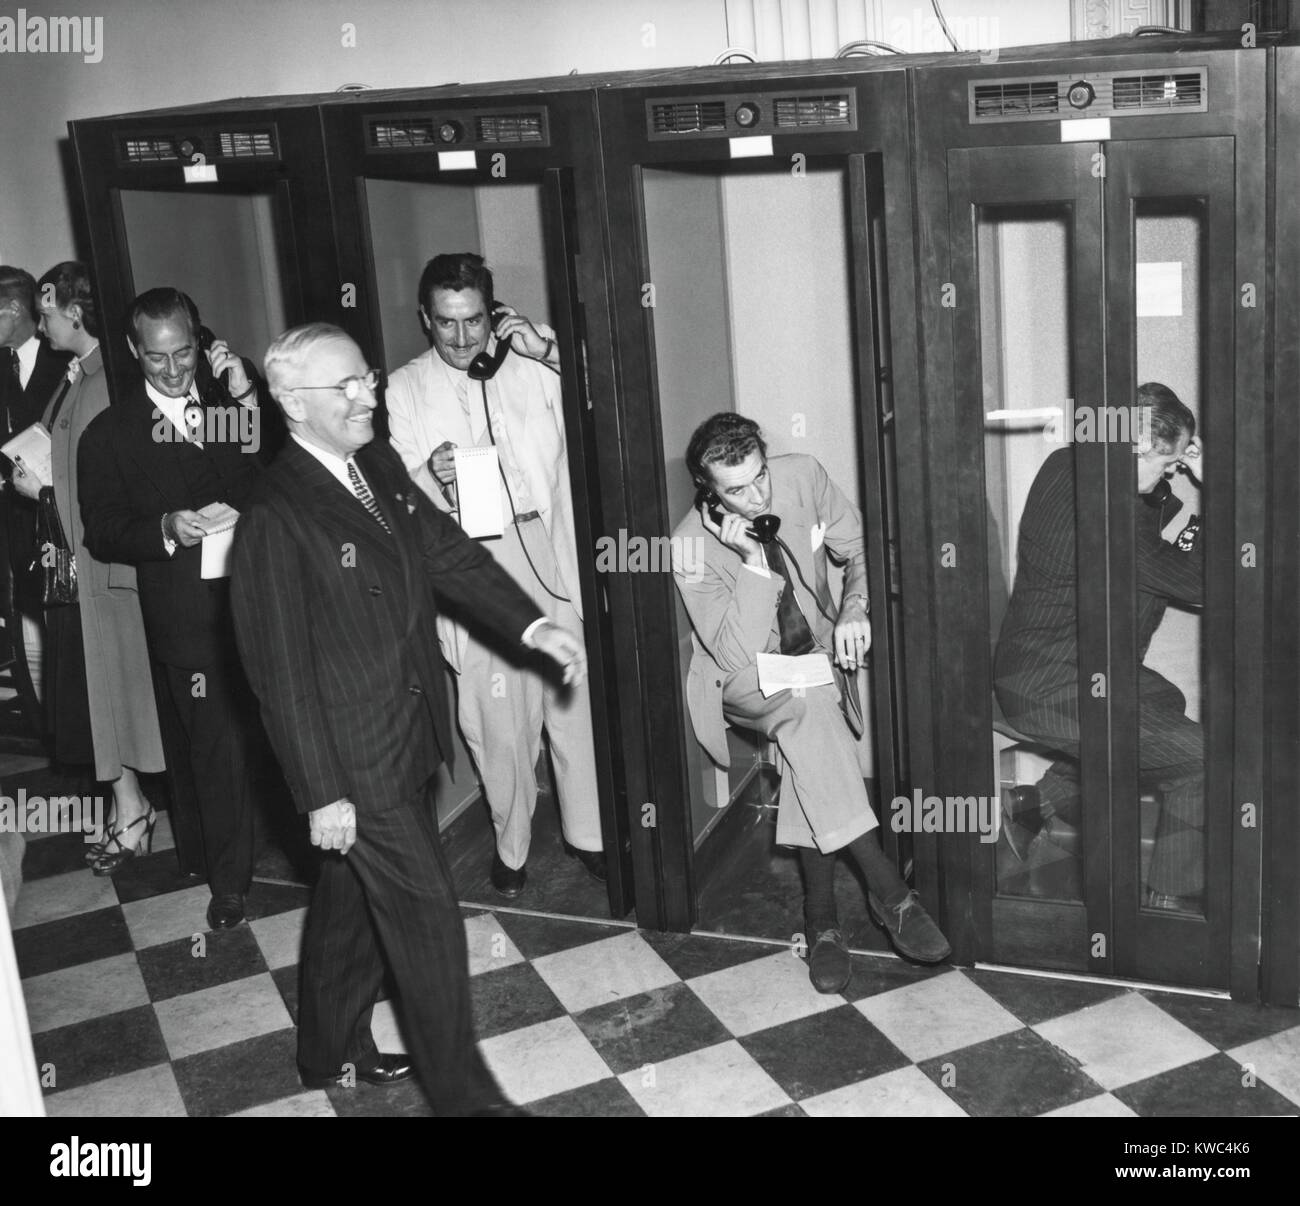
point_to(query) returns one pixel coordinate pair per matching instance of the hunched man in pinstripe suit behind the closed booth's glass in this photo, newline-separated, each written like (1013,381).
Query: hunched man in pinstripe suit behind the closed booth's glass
(1037,667)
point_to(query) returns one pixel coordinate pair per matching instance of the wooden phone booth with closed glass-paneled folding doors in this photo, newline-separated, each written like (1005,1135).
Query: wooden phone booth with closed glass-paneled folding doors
(1097,227)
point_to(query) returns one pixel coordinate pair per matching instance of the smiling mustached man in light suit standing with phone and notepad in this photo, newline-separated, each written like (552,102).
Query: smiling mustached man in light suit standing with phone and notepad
(489,387)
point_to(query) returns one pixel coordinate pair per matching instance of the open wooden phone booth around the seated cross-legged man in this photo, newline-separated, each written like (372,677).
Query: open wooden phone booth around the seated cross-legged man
(751,224)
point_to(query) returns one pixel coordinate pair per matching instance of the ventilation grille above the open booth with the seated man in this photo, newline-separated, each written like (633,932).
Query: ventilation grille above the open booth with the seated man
(764,112)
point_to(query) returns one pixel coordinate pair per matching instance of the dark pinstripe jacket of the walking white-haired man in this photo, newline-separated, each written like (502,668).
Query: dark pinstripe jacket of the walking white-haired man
(336,626)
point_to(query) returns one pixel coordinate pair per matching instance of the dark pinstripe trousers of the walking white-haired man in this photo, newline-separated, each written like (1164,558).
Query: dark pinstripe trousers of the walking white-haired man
(392,892)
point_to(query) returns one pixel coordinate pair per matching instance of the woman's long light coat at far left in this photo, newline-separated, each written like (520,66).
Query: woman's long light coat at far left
(123,714)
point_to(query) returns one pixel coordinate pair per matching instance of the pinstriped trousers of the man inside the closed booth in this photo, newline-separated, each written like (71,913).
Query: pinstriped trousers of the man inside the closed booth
(1171,757)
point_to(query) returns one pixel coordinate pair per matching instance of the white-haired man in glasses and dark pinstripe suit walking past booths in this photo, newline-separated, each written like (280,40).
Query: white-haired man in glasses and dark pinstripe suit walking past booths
(336,565)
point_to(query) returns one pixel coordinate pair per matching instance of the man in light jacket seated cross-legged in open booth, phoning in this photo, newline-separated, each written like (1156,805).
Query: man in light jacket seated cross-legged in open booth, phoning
(753,592)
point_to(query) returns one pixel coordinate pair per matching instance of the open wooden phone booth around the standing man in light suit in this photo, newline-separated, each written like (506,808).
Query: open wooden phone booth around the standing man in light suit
(510,177)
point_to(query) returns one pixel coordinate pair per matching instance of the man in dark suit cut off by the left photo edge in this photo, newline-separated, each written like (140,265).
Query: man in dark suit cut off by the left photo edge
(31,372)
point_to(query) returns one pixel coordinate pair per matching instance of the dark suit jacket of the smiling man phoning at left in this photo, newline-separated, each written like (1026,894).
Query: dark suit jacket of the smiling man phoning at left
(135,470)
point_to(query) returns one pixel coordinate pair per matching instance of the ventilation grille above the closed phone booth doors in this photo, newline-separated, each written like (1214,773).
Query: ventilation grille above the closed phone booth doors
(1047,98)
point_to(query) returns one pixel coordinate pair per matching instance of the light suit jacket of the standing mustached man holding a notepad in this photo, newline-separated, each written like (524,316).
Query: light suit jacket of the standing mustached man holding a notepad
(424,411)
